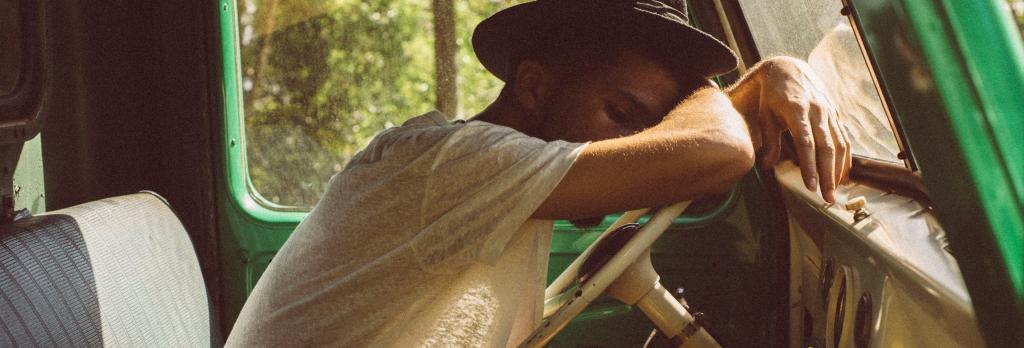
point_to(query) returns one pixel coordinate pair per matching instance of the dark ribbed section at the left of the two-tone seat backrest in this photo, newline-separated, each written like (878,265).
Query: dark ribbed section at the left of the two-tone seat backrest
(48,289)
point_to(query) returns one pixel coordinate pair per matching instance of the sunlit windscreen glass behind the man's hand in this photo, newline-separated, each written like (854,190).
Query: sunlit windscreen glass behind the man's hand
(816,31)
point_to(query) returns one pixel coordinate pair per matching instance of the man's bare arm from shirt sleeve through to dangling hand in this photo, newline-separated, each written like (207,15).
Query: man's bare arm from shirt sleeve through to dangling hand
(705,146)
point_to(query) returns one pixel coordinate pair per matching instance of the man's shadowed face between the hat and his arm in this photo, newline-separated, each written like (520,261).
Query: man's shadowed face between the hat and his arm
(624,97)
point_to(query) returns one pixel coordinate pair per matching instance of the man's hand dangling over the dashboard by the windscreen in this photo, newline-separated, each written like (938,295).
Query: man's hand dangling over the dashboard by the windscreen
(784,94)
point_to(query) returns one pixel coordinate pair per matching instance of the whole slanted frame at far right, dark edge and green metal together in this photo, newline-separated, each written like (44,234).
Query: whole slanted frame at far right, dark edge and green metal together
(953,73)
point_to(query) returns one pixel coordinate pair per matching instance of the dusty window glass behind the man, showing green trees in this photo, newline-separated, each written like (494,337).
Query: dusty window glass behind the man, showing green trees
(321,78)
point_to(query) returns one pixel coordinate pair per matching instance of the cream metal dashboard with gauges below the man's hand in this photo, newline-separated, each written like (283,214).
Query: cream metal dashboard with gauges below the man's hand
(877,281)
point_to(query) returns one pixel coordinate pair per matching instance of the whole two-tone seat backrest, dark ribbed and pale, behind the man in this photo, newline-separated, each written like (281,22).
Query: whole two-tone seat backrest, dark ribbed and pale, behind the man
(120,272)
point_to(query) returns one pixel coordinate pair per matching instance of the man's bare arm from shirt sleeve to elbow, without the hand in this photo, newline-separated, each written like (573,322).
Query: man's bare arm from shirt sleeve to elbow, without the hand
(703,147)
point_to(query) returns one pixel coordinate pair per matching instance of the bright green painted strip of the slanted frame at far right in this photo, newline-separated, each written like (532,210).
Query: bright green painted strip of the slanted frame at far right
(991,43)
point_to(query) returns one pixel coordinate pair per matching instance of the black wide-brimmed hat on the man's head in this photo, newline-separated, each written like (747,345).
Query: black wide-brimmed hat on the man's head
(500,39)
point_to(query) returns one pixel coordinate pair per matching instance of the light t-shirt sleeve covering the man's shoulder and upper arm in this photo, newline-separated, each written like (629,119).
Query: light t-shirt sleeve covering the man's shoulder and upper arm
(485,184)
